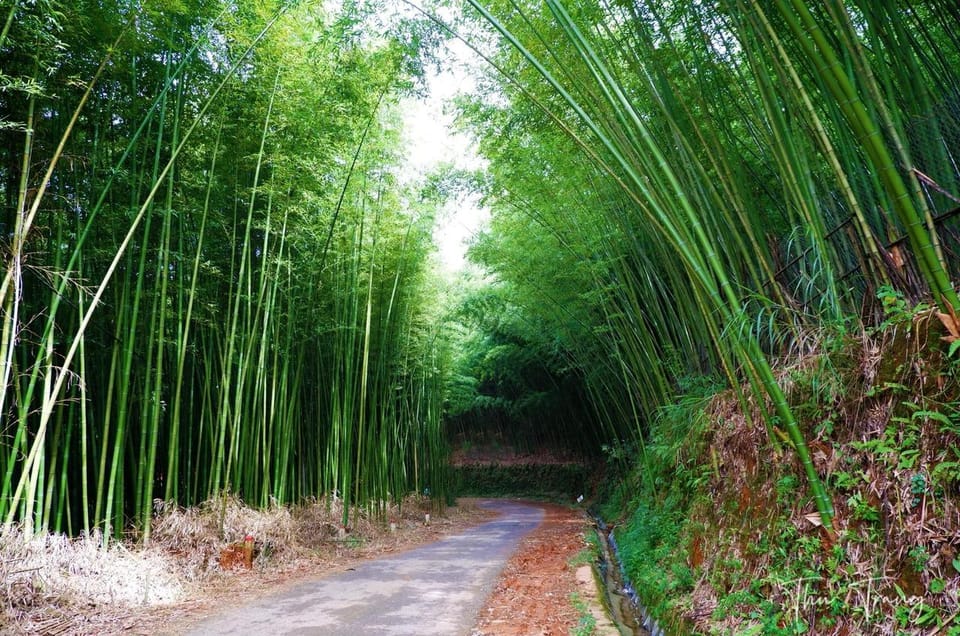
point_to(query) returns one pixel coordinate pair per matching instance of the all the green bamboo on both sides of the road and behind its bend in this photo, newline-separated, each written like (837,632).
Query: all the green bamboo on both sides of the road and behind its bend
(215,280)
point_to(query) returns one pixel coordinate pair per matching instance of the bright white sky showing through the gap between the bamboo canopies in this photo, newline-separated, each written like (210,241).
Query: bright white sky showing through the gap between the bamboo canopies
(431,140)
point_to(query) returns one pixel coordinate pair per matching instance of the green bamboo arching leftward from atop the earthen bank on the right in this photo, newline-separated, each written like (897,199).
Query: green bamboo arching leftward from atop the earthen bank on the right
(685,191)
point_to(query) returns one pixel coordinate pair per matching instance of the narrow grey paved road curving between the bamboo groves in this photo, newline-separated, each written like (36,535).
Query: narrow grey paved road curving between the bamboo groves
(432,590)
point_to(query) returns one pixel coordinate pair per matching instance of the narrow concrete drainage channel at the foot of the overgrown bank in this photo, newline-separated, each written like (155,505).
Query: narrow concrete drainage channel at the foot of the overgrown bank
(626,611)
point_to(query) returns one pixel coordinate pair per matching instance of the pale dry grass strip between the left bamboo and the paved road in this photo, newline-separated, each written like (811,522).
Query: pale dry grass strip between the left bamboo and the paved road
(53,584)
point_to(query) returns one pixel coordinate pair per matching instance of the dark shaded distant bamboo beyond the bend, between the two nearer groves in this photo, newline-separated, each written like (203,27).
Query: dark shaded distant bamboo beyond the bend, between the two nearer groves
(512,384)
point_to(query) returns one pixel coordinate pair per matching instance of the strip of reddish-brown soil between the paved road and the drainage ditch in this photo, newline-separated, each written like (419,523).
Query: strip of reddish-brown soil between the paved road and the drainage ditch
(532,596)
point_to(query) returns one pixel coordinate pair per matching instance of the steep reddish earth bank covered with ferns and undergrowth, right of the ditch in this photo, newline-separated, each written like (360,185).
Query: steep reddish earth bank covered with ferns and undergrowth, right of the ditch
(720,535)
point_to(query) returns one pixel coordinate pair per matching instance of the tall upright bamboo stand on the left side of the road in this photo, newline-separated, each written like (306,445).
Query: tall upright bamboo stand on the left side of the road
(214,279)
